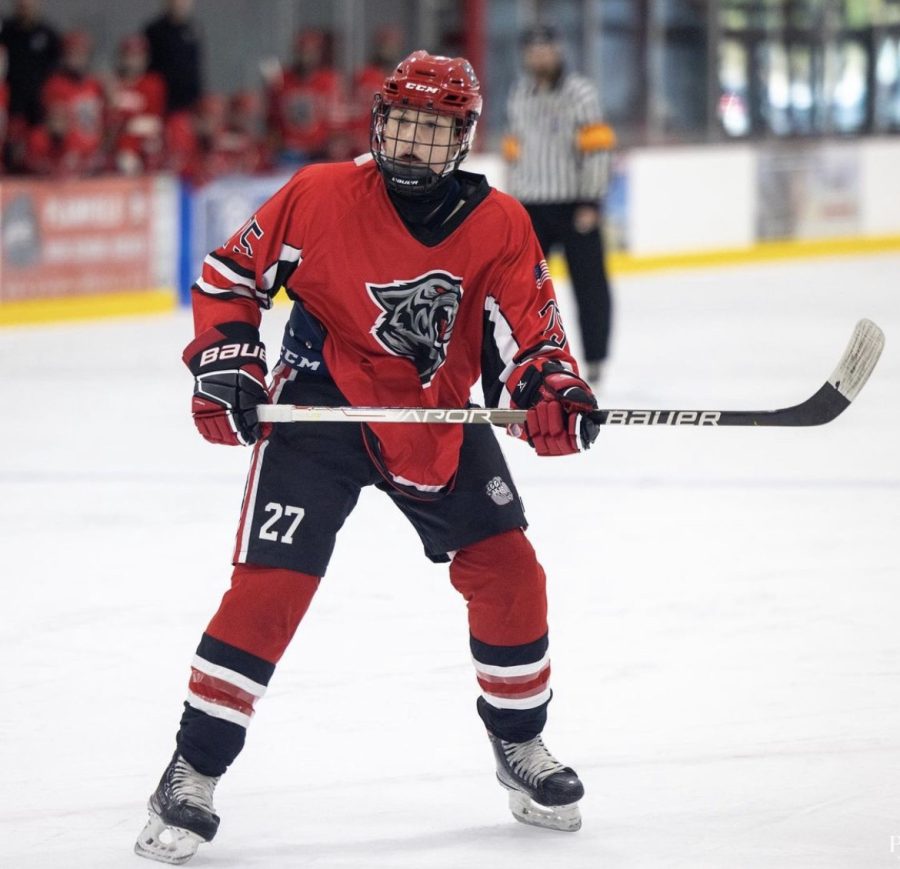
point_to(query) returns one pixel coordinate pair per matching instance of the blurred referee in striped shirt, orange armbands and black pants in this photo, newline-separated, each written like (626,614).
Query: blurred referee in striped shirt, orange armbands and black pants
(557,150)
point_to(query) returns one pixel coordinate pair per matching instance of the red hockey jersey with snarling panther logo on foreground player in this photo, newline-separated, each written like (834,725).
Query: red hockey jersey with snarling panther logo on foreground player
(407,323)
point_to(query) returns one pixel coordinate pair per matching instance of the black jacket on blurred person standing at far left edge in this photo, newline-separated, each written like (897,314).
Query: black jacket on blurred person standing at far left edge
(32,54)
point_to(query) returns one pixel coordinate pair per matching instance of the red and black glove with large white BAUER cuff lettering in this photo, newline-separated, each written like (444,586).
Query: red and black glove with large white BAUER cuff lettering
(229,367)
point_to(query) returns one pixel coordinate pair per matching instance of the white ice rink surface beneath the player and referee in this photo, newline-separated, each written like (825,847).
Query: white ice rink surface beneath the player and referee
(725,610)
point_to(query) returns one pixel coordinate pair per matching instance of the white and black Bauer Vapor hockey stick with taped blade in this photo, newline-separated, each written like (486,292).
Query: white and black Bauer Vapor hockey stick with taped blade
(830,401)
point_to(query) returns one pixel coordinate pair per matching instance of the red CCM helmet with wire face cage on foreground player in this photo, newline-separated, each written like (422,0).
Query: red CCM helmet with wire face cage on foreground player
(428,85)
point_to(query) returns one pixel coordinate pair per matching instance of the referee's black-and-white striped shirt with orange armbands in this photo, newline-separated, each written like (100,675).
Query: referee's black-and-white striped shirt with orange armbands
(557,147)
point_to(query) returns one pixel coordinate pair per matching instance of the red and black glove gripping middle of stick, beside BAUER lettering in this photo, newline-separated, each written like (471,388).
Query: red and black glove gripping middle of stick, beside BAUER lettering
(561,409)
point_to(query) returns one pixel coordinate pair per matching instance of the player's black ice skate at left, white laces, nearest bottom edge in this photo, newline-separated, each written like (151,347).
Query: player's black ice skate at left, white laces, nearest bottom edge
(182,816)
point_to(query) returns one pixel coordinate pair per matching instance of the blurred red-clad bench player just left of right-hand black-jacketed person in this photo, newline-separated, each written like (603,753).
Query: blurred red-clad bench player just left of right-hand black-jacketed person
(137,103)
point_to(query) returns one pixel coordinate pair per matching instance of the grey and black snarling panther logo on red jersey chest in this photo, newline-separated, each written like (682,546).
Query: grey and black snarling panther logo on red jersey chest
(418,318)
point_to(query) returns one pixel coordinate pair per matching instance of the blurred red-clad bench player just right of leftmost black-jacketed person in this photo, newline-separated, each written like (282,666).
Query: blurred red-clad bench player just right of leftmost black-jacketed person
(80,95)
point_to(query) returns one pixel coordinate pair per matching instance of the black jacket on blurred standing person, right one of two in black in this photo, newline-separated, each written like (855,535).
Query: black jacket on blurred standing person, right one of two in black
(175,53)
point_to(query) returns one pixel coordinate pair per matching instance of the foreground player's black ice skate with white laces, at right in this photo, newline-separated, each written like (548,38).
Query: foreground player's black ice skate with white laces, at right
(542,791)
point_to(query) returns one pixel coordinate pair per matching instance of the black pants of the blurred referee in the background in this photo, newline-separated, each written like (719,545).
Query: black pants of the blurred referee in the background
(554,225)
